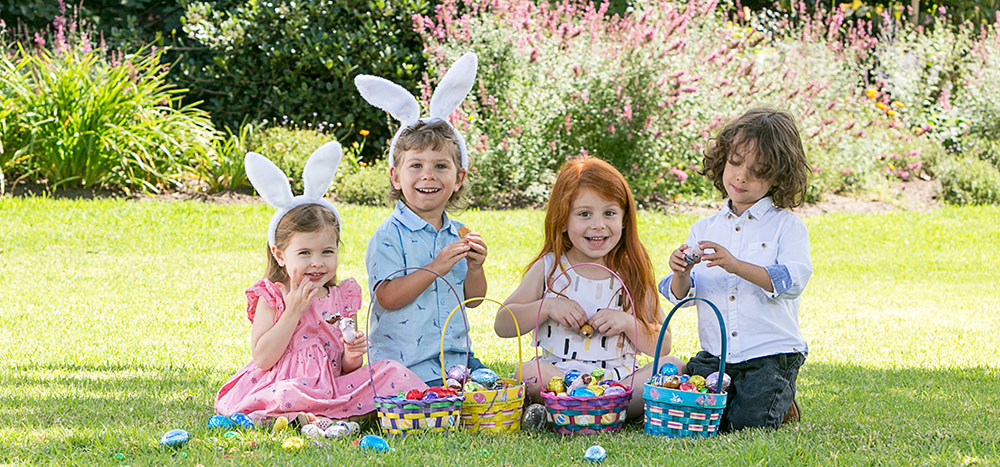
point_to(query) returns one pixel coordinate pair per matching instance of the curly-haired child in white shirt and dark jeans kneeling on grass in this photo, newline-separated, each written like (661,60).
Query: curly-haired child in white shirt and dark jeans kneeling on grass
(755,267)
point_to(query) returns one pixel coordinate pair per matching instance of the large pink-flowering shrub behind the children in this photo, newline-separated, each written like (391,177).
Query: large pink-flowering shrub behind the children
(649,89)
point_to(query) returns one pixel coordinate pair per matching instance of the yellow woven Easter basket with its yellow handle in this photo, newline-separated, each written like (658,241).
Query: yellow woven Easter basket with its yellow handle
(493,411)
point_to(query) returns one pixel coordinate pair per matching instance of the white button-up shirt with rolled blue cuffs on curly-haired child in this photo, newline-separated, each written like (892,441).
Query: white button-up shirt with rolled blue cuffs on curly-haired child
(758,323)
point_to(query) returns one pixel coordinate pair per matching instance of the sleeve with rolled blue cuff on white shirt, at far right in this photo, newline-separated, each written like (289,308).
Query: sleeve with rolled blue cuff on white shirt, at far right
(793,267)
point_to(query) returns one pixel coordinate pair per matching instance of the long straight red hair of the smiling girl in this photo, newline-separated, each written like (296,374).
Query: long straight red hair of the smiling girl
(628,258)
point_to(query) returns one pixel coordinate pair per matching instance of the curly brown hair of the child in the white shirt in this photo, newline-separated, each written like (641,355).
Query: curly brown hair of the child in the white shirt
(780,159)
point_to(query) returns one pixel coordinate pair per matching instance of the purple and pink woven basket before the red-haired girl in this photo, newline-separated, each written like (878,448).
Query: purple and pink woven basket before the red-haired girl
(570,415)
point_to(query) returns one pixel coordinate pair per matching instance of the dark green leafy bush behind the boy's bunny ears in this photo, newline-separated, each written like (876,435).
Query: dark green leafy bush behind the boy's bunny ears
(294,60)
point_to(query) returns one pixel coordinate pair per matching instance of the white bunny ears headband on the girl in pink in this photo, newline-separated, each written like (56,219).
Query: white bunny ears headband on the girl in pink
(273,186)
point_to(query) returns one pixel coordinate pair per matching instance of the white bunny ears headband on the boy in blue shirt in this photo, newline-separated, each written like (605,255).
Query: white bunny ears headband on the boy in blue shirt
(448,95)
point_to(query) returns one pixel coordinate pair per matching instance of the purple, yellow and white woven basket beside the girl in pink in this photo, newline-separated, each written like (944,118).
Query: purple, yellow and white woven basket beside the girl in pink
(403,417)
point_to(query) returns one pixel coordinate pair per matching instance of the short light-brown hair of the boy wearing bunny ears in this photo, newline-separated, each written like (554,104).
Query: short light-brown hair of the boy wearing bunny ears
(436,136)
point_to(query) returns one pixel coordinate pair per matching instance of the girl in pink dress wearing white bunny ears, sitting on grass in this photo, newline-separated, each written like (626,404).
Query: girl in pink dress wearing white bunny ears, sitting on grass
(300,362)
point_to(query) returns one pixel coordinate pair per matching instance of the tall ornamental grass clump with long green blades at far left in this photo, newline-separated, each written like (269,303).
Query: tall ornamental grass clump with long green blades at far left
(83,117)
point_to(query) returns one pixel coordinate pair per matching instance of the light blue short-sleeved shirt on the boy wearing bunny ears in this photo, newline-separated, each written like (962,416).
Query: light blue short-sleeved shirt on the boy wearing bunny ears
(411,335)
